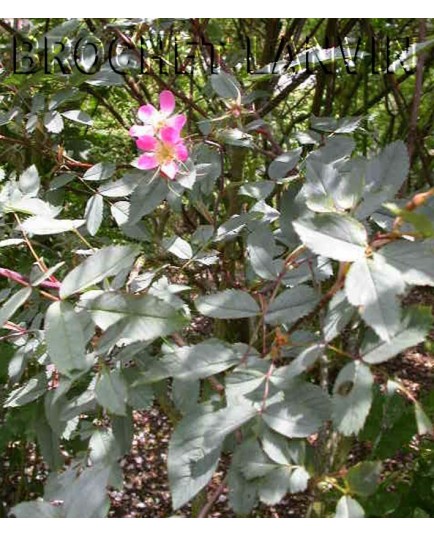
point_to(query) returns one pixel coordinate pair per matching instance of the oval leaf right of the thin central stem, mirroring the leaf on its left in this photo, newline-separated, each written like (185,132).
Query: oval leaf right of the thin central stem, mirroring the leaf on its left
(291,305)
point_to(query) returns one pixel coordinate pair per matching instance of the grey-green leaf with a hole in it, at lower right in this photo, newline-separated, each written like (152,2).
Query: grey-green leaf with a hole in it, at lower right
(352,397)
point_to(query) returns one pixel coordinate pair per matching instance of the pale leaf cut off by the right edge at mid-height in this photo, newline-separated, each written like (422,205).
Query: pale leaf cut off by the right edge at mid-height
(414,260)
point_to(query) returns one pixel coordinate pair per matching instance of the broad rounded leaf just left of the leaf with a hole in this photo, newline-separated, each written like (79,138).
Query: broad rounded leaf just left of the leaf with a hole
(301,414)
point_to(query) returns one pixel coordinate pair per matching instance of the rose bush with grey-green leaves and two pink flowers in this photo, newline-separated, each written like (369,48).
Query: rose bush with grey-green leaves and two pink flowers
(299,252)
